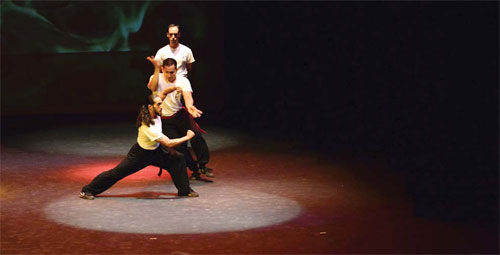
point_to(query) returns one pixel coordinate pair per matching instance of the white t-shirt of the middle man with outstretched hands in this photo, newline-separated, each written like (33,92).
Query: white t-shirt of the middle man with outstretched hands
(172,102)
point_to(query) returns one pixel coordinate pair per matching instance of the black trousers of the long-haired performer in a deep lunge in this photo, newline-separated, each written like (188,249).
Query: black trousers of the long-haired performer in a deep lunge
(139,158)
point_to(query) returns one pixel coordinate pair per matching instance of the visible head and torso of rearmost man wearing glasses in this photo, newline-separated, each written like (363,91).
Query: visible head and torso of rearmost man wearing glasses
(180,52)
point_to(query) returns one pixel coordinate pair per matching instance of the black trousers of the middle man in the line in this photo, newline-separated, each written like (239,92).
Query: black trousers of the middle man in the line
(176,127)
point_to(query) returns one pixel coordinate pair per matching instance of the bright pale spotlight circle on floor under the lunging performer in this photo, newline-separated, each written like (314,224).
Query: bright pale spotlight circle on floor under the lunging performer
(156,210)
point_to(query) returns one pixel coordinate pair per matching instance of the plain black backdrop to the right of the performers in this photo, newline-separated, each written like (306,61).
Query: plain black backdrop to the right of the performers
(416,82)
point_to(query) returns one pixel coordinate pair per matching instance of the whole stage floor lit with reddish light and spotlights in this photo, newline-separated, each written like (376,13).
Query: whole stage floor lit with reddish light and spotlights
(267,197)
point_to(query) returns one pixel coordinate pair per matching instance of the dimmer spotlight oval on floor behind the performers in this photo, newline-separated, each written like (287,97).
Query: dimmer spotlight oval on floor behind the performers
(113,139)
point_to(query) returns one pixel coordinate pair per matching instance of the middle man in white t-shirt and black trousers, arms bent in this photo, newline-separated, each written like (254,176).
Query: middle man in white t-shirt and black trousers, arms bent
(176,118)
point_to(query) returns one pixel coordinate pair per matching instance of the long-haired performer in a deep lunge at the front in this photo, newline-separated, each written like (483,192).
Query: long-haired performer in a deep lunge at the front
(147,151)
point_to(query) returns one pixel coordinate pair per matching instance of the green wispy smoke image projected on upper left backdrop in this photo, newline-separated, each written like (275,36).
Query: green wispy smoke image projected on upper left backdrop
(69,27)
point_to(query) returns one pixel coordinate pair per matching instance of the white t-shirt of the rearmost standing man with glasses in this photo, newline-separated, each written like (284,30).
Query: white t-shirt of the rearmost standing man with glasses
(182,54)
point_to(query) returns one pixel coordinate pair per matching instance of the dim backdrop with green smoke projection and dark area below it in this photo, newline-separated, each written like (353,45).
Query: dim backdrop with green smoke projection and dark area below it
(93,53)
